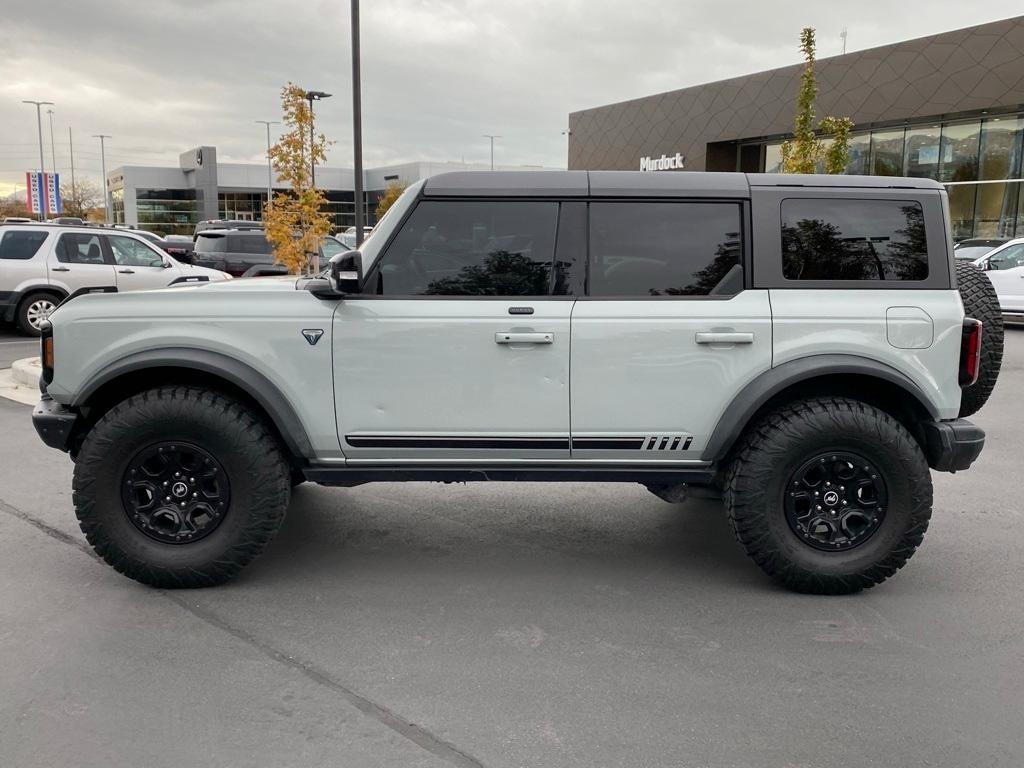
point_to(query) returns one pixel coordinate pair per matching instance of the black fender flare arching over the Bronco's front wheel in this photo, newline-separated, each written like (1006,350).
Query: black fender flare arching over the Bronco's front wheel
(246,378)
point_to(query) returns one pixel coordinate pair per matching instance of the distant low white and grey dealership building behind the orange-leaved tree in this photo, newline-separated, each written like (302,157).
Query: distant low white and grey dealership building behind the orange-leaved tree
(170,201)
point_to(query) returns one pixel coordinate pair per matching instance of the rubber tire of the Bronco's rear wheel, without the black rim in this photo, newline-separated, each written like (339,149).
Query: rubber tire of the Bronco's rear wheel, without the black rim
(766,459)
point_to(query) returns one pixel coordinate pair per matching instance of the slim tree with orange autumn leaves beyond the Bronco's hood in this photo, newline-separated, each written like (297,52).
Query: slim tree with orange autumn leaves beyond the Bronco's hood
(295,221)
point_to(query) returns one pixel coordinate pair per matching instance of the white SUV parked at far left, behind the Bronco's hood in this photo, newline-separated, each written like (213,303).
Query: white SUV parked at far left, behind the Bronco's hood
(45,265)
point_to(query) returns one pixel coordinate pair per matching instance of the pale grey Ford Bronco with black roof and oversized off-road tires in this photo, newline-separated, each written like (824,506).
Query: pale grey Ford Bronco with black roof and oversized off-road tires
(796,345)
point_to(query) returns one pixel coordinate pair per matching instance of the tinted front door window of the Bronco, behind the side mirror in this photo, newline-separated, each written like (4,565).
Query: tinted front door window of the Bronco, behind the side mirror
(495,248)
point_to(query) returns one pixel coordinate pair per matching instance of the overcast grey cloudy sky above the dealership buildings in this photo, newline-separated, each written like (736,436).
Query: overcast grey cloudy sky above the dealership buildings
(164,76)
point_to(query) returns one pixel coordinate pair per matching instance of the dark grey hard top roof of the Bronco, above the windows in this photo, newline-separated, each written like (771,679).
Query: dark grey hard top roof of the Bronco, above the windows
(644,185)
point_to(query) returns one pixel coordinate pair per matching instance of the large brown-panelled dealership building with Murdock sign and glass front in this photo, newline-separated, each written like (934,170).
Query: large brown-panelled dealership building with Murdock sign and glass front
(950,107)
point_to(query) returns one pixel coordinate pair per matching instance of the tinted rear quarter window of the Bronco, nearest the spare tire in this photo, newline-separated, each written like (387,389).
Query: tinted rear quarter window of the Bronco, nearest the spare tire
(854,240)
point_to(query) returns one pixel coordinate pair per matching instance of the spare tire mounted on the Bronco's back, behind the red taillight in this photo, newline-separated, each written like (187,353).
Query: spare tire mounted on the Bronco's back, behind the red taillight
(982,303)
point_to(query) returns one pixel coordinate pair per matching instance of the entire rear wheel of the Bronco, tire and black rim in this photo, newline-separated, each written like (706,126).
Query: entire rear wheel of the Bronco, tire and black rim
(829,496)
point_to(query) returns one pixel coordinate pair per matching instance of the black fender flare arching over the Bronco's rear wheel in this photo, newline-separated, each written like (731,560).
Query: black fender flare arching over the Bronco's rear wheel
(774,381)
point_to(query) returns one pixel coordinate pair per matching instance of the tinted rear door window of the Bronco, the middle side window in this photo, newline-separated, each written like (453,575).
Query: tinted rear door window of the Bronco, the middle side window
(666,249)
